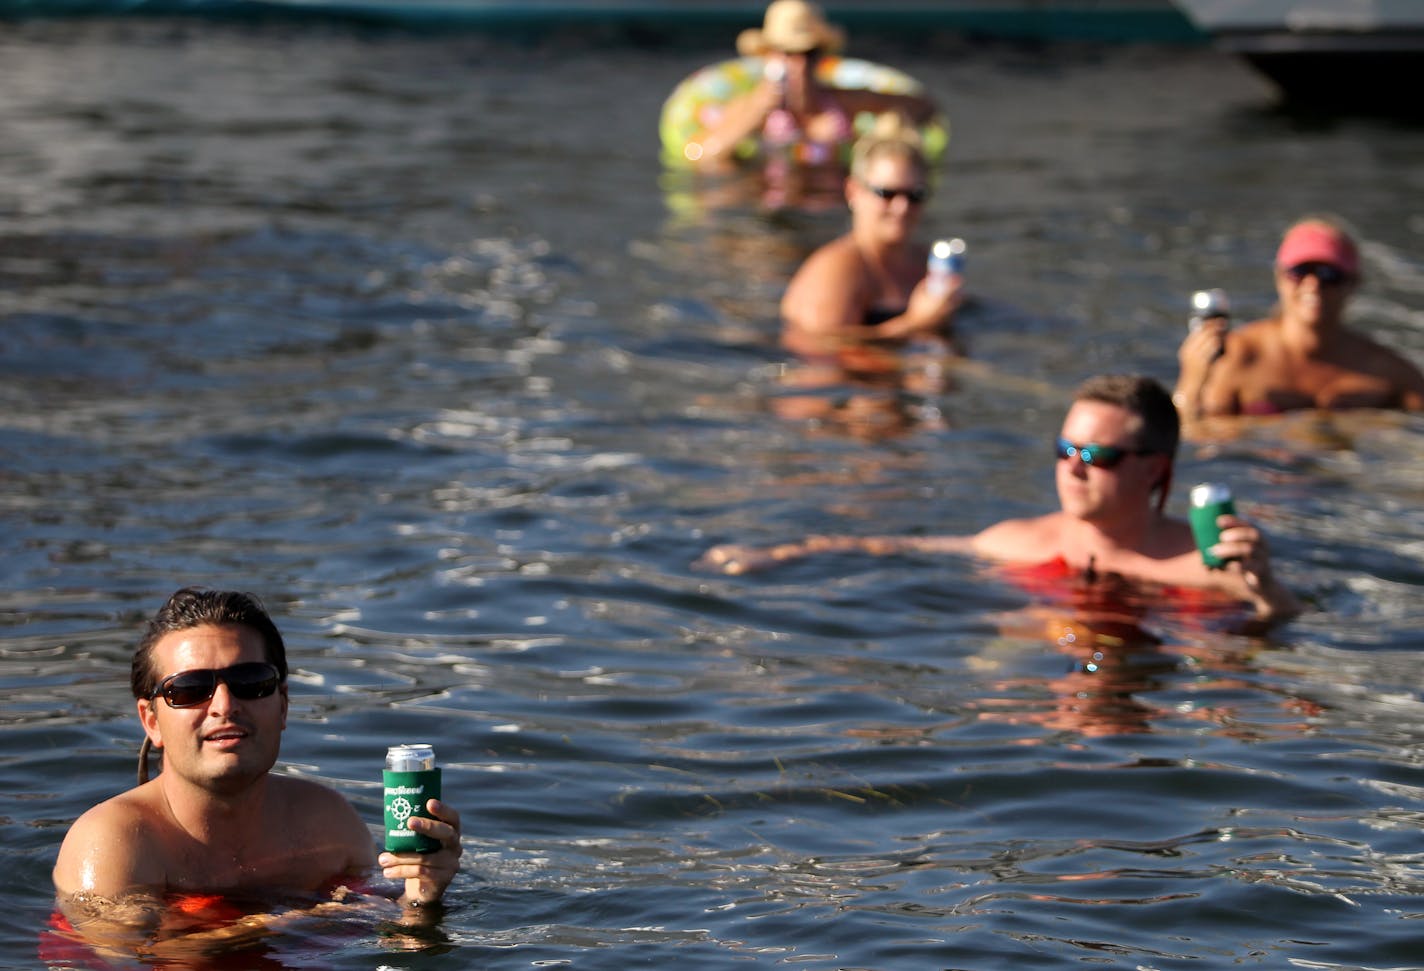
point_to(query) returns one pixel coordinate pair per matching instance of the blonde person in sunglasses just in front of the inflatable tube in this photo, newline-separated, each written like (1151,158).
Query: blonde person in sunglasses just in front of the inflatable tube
(871,284)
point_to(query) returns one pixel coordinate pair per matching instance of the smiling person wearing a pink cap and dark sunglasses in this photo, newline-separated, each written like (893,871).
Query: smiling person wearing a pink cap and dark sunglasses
(1304,357)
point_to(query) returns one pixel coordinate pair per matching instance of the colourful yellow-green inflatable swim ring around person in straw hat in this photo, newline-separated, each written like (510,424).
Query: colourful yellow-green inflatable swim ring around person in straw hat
(698,100)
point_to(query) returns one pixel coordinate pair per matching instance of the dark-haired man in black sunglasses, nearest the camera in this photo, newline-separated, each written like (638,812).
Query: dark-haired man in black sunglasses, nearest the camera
(210,681)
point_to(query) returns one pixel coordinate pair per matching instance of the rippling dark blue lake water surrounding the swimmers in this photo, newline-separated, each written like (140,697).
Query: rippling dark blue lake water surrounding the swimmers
(412,337)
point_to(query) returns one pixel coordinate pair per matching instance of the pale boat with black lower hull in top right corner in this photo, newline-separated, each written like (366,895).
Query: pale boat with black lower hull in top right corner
(1354,55)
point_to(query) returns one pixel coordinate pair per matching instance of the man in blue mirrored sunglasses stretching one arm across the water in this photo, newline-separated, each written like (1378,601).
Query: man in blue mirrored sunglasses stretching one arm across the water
(1116,455)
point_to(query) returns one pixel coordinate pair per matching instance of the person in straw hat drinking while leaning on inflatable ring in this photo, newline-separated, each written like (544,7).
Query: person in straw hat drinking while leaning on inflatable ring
(790,107)
